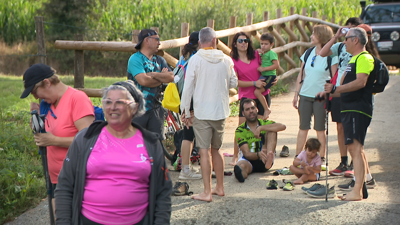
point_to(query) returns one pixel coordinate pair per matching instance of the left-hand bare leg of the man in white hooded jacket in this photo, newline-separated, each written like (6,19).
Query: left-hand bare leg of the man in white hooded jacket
(205,163)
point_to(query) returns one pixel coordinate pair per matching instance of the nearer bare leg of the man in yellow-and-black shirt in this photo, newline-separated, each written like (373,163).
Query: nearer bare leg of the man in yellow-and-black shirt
(356,150)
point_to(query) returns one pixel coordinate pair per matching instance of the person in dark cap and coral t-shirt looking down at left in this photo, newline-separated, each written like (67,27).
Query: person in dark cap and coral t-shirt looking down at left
(70,111)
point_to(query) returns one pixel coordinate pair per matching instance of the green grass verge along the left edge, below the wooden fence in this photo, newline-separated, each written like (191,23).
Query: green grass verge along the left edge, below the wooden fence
(21,174)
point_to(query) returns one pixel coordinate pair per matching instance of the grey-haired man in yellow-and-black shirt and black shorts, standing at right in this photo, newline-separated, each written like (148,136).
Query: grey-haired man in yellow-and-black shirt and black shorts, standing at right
(355,94)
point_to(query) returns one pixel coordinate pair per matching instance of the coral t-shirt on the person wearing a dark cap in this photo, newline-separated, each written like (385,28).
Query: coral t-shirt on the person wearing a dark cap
(73,105)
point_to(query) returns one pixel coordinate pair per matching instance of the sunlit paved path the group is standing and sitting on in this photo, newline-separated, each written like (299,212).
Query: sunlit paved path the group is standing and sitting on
(251,203)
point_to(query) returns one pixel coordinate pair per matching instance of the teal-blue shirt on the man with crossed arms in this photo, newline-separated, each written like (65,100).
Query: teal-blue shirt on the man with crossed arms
(139,63)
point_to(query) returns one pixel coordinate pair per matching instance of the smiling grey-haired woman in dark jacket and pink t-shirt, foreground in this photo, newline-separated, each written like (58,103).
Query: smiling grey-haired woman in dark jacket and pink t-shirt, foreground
(115,171)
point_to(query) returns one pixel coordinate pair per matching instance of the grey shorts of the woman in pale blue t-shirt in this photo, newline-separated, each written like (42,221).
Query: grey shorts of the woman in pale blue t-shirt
(308,107)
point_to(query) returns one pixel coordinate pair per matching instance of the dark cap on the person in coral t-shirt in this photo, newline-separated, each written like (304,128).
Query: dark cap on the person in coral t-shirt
(34,75)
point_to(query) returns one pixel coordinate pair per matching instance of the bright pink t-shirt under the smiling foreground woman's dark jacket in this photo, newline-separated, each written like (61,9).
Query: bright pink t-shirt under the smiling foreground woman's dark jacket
(117,180)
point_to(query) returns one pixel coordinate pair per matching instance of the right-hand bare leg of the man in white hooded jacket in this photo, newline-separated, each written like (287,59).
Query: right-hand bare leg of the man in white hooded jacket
(219,166)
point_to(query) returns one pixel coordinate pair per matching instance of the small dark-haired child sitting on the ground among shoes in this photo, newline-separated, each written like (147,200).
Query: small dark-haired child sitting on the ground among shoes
(309,161)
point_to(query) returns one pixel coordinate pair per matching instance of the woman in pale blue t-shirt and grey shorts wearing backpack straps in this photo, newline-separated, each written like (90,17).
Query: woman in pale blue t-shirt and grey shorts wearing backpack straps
(310,81)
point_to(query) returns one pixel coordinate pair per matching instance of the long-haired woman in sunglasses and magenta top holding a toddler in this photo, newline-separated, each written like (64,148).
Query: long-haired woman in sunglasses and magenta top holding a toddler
(247,61)
